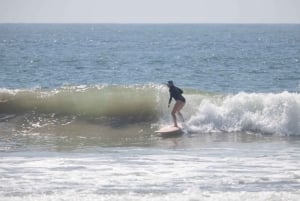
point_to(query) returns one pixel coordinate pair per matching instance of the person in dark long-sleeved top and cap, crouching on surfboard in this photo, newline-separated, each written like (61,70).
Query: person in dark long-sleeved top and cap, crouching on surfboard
(176,93)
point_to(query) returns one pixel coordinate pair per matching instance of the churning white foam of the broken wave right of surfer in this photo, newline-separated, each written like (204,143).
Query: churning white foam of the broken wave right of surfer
(258,112)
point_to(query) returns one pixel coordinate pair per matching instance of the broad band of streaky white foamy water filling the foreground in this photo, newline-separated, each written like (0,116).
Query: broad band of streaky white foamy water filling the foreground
(153,174)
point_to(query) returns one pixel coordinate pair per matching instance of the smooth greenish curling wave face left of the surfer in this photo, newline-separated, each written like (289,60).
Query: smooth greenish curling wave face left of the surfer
(85,101)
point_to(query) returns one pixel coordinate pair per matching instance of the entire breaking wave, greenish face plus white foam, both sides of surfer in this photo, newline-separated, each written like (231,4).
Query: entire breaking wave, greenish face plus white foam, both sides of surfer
(268,113)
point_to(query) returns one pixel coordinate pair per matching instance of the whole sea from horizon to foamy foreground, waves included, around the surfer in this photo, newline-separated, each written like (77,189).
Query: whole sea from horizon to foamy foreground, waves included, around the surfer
(80,103)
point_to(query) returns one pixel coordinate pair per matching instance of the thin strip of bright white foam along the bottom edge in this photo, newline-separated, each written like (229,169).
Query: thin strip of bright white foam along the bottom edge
(186,196)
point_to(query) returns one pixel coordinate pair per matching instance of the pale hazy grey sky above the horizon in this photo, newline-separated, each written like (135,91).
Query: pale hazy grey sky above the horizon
(150,11)
